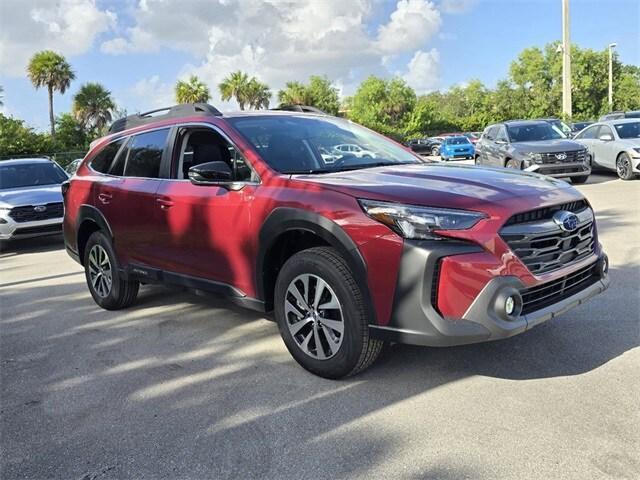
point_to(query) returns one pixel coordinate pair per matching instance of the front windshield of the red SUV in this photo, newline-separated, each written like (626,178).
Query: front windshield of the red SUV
(301,144)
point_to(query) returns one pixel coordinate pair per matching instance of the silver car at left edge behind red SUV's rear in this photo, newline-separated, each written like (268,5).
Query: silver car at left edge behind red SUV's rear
(30,198)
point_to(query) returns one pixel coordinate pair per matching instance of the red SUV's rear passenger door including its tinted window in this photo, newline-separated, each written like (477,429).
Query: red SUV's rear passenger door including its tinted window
(132,211)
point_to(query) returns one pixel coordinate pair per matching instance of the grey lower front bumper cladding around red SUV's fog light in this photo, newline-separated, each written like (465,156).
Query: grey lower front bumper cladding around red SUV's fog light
(416,320)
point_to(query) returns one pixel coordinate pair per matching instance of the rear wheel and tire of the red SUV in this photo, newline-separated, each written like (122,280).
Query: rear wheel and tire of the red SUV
(109,289)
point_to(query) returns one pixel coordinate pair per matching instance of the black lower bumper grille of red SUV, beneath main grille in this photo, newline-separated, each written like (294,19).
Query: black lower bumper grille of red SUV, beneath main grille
(541,296)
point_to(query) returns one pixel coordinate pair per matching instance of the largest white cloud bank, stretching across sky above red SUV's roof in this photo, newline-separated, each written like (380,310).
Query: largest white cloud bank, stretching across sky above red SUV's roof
(279,40)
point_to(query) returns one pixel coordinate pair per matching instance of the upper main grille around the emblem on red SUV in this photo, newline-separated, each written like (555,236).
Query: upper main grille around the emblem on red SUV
(543,246)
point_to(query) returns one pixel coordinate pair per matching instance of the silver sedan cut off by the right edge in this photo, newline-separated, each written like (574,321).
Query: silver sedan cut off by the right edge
(614,145)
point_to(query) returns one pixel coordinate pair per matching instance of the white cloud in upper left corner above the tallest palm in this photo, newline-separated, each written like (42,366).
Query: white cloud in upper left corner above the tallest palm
(66,26)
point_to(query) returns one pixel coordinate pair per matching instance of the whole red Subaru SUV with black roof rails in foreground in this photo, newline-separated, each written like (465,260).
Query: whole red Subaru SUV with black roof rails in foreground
(348,251)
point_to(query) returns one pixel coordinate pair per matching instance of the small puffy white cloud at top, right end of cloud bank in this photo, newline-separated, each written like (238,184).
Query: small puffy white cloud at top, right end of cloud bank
(411,25)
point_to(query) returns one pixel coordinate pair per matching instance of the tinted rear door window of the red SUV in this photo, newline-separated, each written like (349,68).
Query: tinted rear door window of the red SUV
(145,154)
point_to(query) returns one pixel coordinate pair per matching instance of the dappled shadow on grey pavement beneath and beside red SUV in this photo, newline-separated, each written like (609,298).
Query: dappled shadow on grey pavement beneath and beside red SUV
(183,376)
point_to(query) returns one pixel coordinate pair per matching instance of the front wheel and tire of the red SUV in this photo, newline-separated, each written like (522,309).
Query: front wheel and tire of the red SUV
(321,315)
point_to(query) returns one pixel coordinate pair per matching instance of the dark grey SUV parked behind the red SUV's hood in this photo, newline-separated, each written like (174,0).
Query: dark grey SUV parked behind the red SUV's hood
(535,146)
